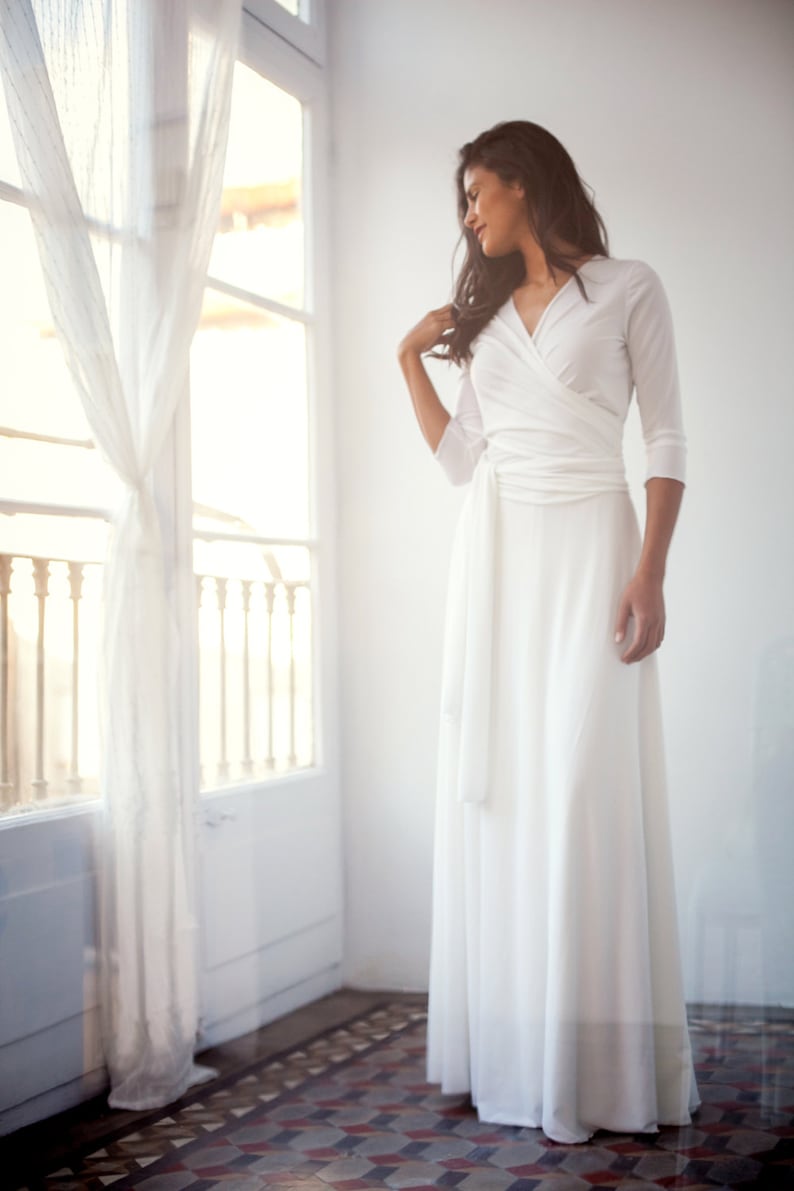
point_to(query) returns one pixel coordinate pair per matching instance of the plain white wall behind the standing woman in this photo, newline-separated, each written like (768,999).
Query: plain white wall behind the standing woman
(680,116)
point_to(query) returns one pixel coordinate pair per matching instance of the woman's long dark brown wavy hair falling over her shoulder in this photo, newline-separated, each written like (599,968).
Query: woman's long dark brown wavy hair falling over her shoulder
(558,208)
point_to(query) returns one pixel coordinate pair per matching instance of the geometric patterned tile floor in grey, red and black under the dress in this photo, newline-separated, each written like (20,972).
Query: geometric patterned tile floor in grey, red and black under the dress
(351,1111)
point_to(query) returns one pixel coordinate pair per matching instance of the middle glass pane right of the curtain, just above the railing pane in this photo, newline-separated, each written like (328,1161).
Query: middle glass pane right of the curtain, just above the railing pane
(249,420)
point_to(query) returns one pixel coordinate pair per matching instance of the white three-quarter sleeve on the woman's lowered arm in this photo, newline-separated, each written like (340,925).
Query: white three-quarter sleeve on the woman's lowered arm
(655,373)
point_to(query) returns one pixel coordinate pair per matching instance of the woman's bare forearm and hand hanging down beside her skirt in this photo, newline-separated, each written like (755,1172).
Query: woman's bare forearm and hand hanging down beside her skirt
(643,597)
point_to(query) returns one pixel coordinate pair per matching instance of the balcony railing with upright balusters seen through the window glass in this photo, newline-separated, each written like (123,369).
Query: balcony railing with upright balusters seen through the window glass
(255,689)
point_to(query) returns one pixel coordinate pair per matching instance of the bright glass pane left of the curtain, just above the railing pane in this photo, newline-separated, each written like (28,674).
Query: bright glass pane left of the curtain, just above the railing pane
(37,396)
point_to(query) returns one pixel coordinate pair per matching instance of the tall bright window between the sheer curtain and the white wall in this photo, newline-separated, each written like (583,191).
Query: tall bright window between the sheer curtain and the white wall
(249,416)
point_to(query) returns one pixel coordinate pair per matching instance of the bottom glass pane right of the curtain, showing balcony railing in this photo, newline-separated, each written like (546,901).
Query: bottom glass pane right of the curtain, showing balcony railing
(255,662)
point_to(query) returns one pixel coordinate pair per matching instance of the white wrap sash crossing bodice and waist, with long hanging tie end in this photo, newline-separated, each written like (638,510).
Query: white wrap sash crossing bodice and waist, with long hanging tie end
(546,444)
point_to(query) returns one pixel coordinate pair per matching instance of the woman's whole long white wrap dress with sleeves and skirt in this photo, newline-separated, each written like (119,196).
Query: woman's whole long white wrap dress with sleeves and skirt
(555,982)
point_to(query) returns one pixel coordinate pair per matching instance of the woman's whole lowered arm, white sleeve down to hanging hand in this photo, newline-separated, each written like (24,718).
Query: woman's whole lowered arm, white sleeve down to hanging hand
(651,342)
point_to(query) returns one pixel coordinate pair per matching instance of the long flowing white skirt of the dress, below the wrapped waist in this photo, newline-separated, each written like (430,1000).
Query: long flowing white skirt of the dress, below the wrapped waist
(555,984)
